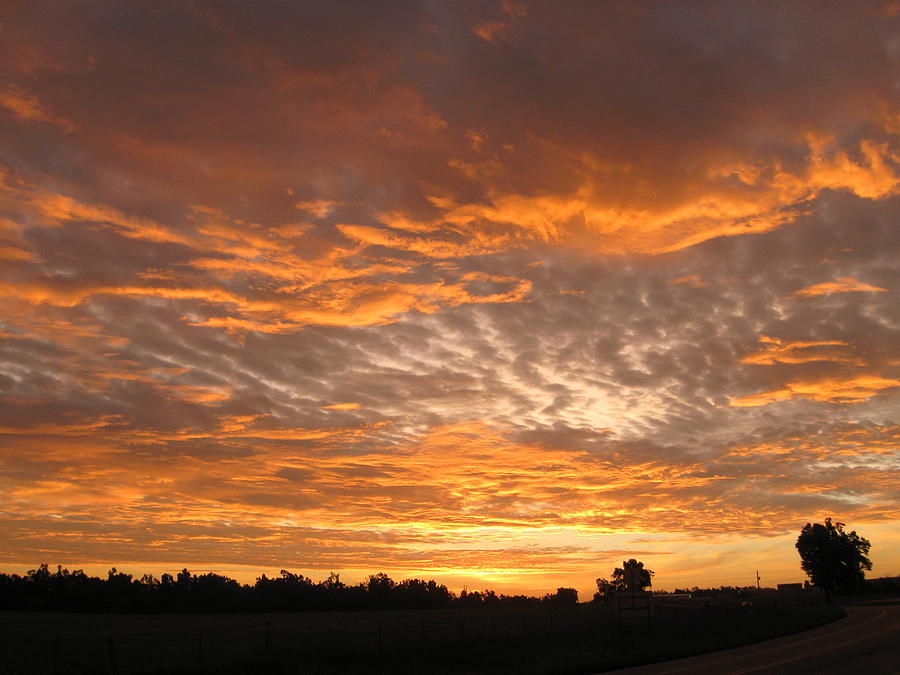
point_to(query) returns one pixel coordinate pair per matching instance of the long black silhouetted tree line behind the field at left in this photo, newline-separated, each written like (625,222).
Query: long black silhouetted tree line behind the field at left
(43,590)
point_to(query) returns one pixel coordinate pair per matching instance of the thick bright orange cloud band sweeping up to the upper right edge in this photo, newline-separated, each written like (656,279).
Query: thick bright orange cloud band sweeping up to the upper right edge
(767,197)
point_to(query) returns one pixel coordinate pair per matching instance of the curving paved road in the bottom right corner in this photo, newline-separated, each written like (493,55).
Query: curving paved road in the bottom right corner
(865,642)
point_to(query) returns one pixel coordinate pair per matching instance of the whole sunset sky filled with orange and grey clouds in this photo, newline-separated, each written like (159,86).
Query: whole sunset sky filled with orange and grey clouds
(496,293)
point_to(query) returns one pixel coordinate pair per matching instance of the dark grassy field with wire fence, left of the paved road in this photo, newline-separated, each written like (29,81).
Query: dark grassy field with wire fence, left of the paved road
(540,640)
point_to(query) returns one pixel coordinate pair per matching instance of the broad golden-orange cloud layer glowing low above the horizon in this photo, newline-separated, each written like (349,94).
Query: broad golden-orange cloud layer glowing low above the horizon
(429,505)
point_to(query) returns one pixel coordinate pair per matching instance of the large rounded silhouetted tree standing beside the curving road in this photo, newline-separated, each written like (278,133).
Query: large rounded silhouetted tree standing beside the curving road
(831,557)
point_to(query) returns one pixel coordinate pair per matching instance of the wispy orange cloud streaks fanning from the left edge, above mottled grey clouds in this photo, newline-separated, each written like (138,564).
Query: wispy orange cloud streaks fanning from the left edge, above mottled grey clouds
(314,296)
